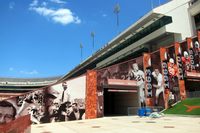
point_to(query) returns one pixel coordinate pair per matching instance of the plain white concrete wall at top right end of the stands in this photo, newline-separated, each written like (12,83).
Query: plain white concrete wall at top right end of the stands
(178,10)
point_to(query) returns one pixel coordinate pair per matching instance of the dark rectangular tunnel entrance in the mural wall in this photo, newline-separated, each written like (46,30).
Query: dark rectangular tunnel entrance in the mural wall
(120,102)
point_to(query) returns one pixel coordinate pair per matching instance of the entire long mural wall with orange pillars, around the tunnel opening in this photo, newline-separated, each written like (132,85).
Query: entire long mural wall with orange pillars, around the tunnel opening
(160,78)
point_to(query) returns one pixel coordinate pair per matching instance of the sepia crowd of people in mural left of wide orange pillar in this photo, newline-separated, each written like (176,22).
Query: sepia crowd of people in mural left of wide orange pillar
(44,106)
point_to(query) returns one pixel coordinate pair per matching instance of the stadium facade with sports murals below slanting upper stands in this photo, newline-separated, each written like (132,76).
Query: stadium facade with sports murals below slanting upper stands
(151,62)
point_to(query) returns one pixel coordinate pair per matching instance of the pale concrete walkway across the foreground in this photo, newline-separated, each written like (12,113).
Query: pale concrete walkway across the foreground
(124,124)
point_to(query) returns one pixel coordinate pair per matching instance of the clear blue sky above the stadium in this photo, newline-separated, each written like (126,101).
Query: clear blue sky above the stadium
(41,38)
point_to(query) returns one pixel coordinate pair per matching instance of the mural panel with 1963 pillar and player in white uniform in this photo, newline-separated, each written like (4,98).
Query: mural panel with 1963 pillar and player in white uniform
(155,84)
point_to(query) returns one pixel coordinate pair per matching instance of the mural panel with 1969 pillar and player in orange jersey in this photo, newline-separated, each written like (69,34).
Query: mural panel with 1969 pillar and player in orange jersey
(172,91)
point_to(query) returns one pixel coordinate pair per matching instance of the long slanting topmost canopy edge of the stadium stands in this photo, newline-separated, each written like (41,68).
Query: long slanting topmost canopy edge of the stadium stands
(143,22)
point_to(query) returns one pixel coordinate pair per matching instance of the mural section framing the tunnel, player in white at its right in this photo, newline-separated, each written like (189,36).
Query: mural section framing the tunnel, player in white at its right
(128,73)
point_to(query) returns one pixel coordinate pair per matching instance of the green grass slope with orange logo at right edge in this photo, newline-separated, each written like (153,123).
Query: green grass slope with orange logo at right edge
(180,107)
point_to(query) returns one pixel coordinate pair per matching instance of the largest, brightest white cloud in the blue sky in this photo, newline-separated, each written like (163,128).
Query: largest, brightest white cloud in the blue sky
(63,16)
